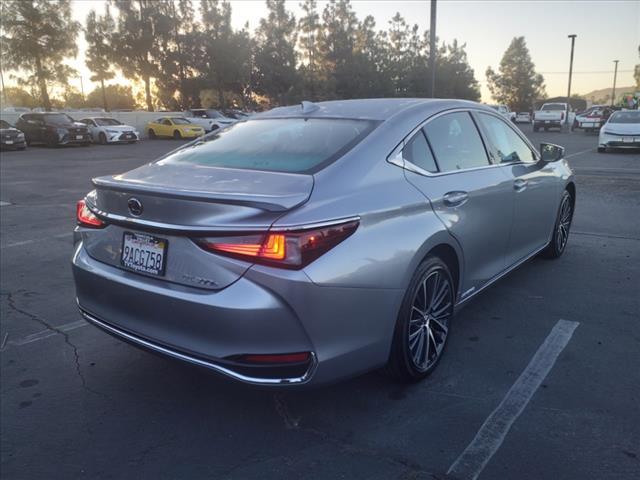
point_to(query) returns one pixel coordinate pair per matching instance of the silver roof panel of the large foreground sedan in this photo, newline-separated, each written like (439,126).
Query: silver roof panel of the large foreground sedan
(380,109)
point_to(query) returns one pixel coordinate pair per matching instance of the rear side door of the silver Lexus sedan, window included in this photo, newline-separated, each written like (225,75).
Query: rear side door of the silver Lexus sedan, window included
(472,198)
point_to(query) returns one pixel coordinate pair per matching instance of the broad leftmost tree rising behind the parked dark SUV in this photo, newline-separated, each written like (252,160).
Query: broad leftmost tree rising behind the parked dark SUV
(37,37)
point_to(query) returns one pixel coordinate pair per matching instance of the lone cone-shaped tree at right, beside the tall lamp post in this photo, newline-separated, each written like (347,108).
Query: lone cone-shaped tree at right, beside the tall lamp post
(516,84)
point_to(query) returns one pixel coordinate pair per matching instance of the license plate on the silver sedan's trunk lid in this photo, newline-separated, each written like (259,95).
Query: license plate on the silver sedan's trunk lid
(144,253)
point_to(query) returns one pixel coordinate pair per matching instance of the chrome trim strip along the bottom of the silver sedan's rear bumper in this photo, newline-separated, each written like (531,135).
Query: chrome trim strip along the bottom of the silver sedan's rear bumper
(197,361)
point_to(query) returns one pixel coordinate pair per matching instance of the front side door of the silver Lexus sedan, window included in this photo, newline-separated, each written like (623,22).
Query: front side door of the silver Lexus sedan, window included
(535,187)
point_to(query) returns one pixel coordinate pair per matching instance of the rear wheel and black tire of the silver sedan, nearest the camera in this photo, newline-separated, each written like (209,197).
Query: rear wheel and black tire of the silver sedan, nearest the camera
(430,279)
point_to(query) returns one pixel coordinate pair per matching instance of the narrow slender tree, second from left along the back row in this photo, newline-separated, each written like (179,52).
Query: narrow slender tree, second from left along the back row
(98,33)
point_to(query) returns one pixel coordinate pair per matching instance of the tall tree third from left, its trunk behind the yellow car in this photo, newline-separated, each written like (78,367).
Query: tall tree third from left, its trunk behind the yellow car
(137,41)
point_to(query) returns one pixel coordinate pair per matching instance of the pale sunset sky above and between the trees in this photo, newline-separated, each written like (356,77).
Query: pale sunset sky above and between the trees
(606,30)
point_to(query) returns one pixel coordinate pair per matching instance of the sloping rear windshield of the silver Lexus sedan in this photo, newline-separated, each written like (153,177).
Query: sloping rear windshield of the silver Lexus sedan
(281,145)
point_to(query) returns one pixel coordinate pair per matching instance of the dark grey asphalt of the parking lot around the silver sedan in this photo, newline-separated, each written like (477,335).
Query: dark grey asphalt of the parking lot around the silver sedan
(77,403)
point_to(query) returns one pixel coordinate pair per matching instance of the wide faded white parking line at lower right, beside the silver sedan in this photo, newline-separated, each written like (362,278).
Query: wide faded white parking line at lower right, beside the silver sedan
(495,428)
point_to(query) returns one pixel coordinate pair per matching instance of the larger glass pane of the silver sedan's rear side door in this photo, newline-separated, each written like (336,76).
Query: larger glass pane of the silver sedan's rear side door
(456,142)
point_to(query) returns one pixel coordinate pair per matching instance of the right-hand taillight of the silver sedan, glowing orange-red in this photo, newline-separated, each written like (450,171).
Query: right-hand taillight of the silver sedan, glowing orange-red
(287,249)
